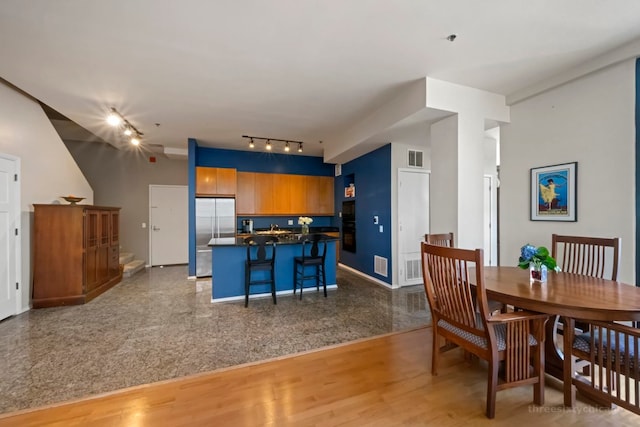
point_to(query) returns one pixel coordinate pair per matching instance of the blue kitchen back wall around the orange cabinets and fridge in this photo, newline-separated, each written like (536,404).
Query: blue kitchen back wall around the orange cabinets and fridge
(248,161)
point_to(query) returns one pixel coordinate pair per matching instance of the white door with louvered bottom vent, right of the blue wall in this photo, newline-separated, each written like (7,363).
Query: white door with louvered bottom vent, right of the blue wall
(413,223)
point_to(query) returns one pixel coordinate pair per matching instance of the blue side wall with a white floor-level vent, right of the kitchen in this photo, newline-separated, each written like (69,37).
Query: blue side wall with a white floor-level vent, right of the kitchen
(371,175)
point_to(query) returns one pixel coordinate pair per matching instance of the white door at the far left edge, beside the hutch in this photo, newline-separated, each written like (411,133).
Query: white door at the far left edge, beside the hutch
(9,224)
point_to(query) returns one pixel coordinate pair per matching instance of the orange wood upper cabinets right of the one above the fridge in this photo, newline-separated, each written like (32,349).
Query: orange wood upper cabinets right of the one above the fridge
(284,194)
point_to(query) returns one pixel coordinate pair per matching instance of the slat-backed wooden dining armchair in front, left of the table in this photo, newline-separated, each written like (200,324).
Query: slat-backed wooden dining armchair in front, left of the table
(516,339)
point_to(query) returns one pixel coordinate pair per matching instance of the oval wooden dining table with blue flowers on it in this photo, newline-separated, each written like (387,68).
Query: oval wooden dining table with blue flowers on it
(571,296)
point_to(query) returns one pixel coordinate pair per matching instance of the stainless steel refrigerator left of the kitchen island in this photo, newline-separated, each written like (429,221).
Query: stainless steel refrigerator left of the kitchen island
(215,218)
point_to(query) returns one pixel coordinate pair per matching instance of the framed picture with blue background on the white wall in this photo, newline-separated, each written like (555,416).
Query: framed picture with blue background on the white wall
(554,193)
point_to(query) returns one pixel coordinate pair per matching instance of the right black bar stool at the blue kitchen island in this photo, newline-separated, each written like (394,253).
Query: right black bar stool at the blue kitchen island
(314,252)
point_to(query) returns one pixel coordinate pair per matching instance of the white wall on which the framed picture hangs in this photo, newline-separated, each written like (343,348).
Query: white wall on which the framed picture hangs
(591,121)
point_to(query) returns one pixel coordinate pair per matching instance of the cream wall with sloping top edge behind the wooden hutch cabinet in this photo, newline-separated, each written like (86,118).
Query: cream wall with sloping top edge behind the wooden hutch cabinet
(47,168)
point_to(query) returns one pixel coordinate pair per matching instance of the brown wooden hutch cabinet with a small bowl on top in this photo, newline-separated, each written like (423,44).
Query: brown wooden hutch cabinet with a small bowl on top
(76,253)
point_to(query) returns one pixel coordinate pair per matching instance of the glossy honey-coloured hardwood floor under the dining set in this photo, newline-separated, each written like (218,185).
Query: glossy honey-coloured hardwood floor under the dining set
(381,381)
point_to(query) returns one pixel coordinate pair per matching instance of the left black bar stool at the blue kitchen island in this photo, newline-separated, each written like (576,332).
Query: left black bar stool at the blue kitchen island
(261,256)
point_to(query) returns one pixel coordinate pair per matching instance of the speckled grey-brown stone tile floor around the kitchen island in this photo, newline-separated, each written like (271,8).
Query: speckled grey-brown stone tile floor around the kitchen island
(158,325)
